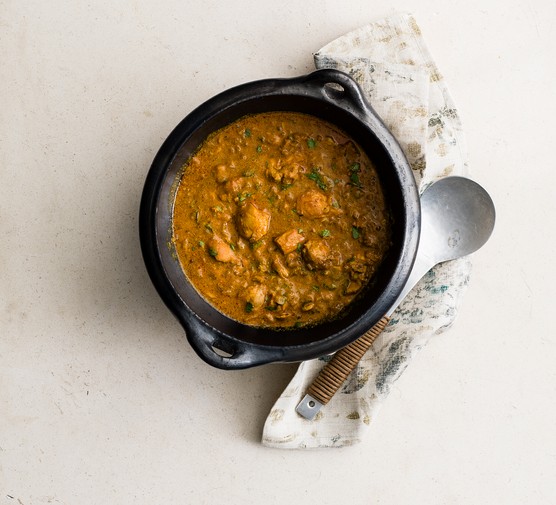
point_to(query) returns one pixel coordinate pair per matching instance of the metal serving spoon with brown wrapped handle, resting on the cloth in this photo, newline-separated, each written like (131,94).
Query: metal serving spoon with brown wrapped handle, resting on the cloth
(457,218)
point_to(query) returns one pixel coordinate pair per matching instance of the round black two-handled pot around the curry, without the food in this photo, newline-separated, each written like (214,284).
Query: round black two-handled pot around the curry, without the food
(225,343)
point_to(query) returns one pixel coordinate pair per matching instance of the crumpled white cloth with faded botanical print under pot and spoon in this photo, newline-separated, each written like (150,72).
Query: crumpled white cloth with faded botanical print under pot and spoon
(390,61)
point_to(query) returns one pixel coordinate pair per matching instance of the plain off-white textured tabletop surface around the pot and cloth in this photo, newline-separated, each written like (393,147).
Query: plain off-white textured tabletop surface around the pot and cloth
(102,400)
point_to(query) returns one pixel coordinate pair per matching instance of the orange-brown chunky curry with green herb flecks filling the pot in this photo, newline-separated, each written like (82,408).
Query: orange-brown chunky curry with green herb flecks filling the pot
(279,220)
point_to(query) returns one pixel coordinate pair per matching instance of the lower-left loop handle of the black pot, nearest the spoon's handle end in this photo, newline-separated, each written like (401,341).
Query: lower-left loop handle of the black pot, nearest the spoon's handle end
(222,352)
